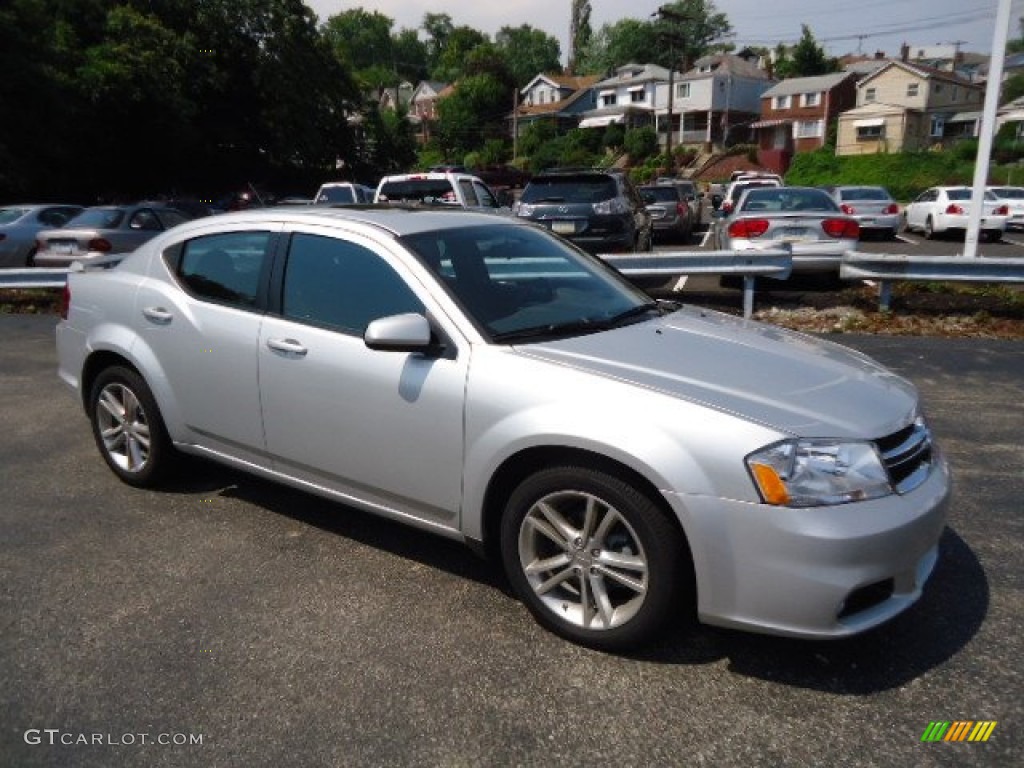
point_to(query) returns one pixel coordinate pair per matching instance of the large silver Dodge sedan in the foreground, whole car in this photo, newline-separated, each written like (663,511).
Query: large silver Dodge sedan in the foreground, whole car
(482,379)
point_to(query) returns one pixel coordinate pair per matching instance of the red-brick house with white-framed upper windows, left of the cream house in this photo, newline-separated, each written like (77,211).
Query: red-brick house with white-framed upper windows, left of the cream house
(796,115)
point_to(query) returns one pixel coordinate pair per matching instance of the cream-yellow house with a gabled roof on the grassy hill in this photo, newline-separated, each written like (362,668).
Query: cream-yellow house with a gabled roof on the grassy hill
(906,106)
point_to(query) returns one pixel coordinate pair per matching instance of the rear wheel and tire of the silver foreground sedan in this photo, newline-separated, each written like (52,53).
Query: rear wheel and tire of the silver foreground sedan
(129,429)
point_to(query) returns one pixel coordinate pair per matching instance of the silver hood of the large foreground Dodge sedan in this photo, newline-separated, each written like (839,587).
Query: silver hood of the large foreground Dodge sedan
(784,380)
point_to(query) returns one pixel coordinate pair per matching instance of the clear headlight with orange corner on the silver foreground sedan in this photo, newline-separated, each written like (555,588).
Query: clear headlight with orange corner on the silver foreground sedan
(819,473)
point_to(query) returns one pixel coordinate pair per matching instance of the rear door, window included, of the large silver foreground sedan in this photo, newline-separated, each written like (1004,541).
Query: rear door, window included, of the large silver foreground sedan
(201,319)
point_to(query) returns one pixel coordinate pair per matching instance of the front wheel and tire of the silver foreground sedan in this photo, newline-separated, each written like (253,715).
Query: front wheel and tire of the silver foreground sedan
(593,559)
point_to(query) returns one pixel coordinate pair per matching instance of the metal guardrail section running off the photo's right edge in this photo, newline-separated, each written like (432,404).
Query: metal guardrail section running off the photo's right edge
(888,269)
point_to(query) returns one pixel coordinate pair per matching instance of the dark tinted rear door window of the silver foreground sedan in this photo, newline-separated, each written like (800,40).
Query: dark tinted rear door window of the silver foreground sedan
(226,269)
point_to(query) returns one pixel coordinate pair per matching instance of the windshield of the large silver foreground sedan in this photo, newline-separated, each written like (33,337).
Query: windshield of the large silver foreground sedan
(522,284)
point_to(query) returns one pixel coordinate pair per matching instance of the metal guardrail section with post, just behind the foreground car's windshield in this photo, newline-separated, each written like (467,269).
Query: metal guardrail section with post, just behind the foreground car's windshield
(749,265)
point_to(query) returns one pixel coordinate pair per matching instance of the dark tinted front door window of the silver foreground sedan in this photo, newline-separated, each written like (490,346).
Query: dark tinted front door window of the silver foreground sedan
(343,285)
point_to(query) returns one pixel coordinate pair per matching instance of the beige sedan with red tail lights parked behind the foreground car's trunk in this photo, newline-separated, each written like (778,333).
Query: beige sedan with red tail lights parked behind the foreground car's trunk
(104,231)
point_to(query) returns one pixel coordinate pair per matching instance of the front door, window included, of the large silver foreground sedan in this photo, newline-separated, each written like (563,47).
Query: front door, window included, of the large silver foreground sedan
(381,428)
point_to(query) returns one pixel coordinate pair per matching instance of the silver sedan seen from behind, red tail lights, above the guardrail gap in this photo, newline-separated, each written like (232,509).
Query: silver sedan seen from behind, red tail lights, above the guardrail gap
(805,219)
